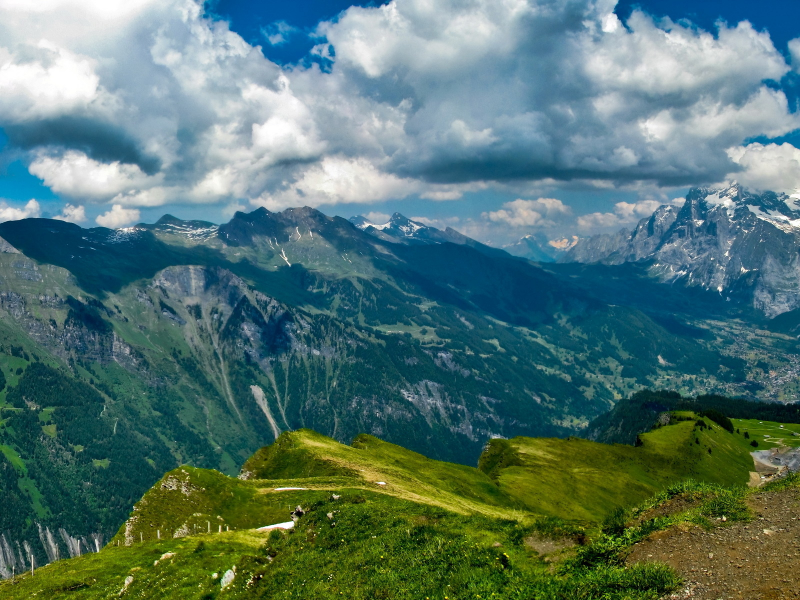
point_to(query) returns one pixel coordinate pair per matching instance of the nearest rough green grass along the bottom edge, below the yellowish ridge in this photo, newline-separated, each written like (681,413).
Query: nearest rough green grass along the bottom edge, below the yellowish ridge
(361,547)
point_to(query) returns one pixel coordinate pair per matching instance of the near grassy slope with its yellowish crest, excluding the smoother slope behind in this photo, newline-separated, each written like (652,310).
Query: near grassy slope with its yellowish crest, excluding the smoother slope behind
(371,542)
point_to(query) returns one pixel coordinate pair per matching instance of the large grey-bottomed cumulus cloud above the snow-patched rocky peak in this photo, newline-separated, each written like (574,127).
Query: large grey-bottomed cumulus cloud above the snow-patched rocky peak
(591,99)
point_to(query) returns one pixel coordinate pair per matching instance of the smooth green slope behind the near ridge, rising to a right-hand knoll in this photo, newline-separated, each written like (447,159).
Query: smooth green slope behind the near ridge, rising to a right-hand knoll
(579,479)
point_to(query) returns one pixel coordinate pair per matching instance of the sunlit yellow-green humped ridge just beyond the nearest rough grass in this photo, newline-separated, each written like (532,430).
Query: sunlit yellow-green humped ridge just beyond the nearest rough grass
(190,500)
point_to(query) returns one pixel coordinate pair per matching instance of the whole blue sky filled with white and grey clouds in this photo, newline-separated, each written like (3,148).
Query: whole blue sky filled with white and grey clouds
(499,118)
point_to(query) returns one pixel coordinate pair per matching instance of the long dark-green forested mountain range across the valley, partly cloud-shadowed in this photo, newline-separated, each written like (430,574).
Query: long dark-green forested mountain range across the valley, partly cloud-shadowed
(184,342)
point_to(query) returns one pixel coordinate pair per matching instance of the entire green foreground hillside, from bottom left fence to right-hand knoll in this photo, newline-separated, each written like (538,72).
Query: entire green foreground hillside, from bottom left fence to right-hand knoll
(381,521)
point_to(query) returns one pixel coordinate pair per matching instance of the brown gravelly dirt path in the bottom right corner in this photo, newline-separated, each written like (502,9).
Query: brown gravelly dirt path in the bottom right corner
(759,560)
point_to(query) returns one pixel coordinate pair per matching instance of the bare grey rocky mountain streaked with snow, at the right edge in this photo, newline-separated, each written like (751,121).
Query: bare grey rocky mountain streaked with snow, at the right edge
(732,241)
